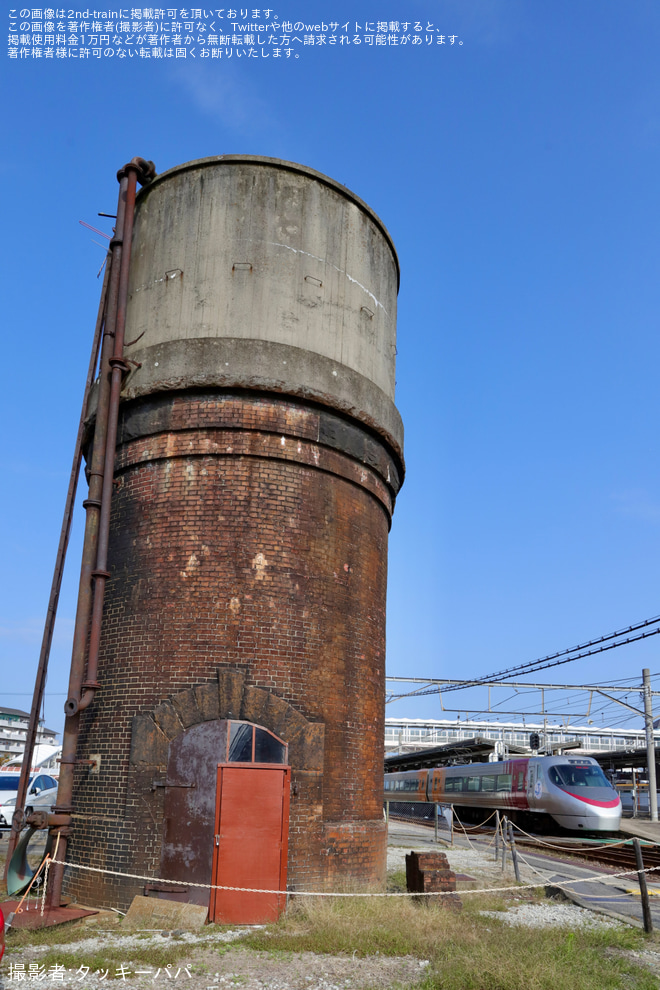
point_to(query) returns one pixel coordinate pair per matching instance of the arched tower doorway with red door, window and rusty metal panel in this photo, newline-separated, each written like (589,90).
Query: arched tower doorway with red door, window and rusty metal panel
(225,818)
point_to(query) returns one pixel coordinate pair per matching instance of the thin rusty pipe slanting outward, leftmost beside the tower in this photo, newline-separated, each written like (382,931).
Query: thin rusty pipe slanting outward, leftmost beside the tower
(51,614)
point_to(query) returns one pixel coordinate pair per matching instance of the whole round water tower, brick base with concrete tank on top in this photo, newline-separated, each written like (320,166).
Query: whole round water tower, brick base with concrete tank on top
(259,457)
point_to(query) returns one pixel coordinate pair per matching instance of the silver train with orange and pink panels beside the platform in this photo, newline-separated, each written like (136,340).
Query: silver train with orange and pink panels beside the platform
(573,790)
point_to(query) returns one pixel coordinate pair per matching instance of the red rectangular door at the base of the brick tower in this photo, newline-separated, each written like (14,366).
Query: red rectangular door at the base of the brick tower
(251,842)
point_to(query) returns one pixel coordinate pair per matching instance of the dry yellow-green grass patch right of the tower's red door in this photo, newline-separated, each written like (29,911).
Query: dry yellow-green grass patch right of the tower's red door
(466,950)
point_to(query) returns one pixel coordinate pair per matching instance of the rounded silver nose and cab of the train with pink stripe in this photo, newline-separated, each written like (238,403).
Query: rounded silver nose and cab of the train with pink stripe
(575,792)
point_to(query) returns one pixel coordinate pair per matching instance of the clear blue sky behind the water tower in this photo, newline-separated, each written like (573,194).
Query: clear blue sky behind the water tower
(518,176)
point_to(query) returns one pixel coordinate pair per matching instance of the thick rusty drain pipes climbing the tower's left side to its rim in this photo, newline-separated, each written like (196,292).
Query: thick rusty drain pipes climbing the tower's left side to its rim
(97,505)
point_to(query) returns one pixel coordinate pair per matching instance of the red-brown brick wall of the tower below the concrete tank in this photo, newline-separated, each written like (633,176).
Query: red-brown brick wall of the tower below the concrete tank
(248,533)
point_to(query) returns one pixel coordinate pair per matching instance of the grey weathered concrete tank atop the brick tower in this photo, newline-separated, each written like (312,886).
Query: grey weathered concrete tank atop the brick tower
(255,272)
